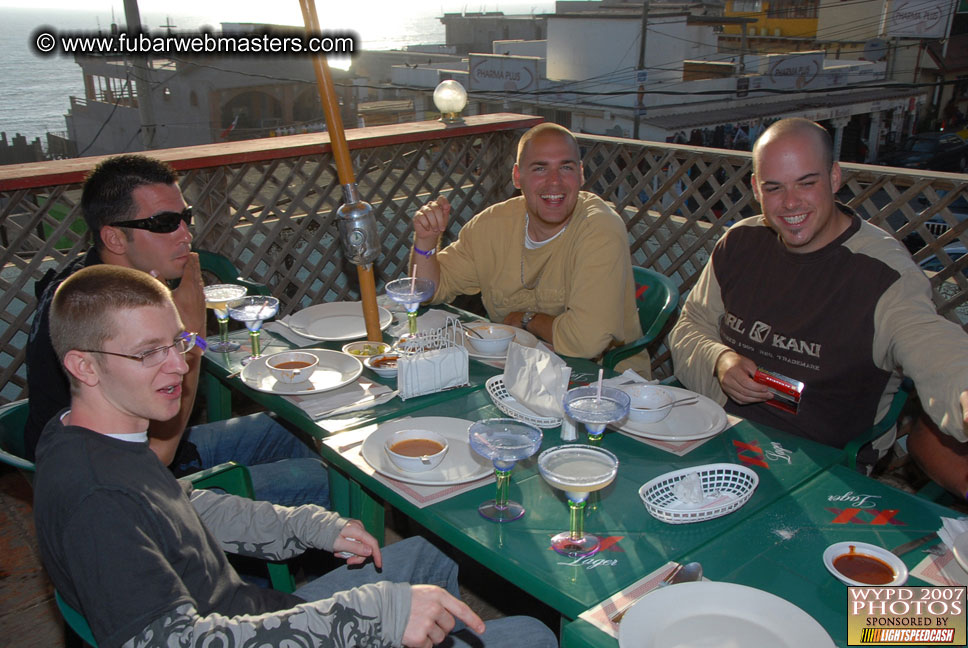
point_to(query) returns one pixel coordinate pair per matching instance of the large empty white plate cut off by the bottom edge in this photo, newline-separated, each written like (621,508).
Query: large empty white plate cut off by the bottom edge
(711,614)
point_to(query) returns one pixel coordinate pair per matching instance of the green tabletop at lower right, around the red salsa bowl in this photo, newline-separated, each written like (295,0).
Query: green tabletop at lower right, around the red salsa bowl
(780,548)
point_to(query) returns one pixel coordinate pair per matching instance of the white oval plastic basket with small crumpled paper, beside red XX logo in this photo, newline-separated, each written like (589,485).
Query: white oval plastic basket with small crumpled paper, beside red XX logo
(725,487)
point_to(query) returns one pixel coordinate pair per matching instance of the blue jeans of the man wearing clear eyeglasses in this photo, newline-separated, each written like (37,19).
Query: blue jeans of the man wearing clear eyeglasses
(416,561)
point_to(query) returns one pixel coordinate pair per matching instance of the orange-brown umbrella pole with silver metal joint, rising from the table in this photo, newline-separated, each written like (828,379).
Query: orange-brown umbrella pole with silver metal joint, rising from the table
(357,225)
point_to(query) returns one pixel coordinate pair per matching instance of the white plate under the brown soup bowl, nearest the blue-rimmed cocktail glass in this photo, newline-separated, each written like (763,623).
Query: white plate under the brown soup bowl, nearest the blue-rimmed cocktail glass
(460,465)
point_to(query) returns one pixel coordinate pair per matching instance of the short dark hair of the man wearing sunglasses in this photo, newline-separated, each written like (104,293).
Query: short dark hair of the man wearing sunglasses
(107,195)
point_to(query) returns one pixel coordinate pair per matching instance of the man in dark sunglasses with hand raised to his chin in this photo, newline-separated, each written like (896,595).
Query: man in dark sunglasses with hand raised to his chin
(138,219)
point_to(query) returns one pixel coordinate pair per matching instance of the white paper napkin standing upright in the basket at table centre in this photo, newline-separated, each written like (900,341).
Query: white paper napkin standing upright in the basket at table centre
(537,379)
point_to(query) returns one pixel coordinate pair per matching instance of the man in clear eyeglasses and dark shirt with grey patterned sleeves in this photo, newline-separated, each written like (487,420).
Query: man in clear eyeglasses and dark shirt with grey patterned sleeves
(141,554)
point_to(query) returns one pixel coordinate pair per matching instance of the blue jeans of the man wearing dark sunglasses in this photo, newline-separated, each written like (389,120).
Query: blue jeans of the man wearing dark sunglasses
(284,470)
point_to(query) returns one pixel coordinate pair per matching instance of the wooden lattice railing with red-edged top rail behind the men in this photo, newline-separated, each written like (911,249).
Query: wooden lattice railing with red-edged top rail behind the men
(269,206)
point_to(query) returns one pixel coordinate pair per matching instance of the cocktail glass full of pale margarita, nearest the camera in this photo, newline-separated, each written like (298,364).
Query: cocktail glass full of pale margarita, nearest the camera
(578,470)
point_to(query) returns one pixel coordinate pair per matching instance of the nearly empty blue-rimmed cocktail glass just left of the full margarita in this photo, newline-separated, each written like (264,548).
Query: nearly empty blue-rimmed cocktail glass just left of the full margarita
(504,441)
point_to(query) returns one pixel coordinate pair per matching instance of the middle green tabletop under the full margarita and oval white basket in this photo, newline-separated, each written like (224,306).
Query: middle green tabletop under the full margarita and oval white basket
(636,543)
